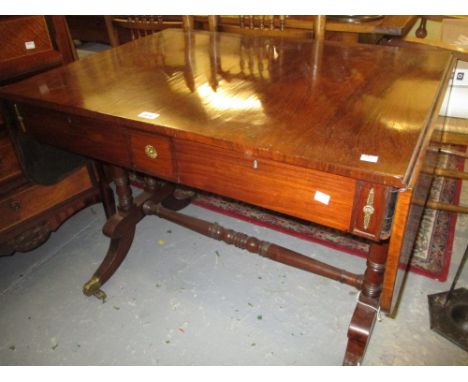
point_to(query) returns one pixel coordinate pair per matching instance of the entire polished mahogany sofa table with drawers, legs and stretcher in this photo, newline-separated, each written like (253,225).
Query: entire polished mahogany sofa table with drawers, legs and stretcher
(333,133)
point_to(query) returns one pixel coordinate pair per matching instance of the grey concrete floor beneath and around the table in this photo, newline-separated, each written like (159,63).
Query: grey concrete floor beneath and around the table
(183,299)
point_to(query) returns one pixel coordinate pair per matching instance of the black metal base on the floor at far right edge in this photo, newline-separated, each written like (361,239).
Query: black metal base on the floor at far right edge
(449,311)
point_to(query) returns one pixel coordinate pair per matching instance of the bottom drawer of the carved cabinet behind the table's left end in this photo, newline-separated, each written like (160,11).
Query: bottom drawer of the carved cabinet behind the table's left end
(37,199)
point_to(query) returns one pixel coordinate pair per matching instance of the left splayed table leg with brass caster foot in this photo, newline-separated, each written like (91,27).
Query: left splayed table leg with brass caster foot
(120,227)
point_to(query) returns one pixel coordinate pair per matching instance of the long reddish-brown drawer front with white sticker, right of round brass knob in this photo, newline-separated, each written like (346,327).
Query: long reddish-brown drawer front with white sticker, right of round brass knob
(308,194)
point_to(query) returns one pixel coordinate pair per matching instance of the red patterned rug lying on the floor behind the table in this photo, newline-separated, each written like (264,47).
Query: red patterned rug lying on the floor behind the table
(433,249)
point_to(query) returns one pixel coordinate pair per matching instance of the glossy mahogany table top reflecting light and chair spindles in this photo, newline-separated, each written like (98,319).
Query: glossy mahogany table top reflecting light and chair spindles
(350,109)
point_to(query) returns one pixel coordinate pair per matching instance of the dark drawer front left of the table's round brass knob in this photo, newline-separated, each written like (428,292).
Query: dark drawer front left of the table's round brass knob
(96,139)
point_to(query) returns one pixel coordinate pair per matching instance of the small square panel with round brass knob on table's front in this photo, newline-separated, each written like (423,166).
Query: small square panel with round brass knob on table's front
(152,154)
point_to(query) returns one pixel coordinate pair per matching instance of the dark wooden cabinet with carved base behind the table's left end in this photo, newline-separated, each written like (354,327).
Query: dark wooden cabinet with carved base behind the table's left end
(30,210)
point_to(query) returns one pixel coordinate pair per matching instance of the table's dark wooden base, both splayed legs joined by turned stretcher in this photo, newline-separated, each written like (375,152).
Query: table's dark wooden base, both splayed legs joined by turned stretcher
(160,201)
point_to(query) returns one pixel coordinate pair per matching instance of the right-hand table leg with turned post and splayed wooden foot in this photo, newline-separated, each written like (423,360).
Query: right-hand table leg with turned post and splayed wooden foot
(367,307)
